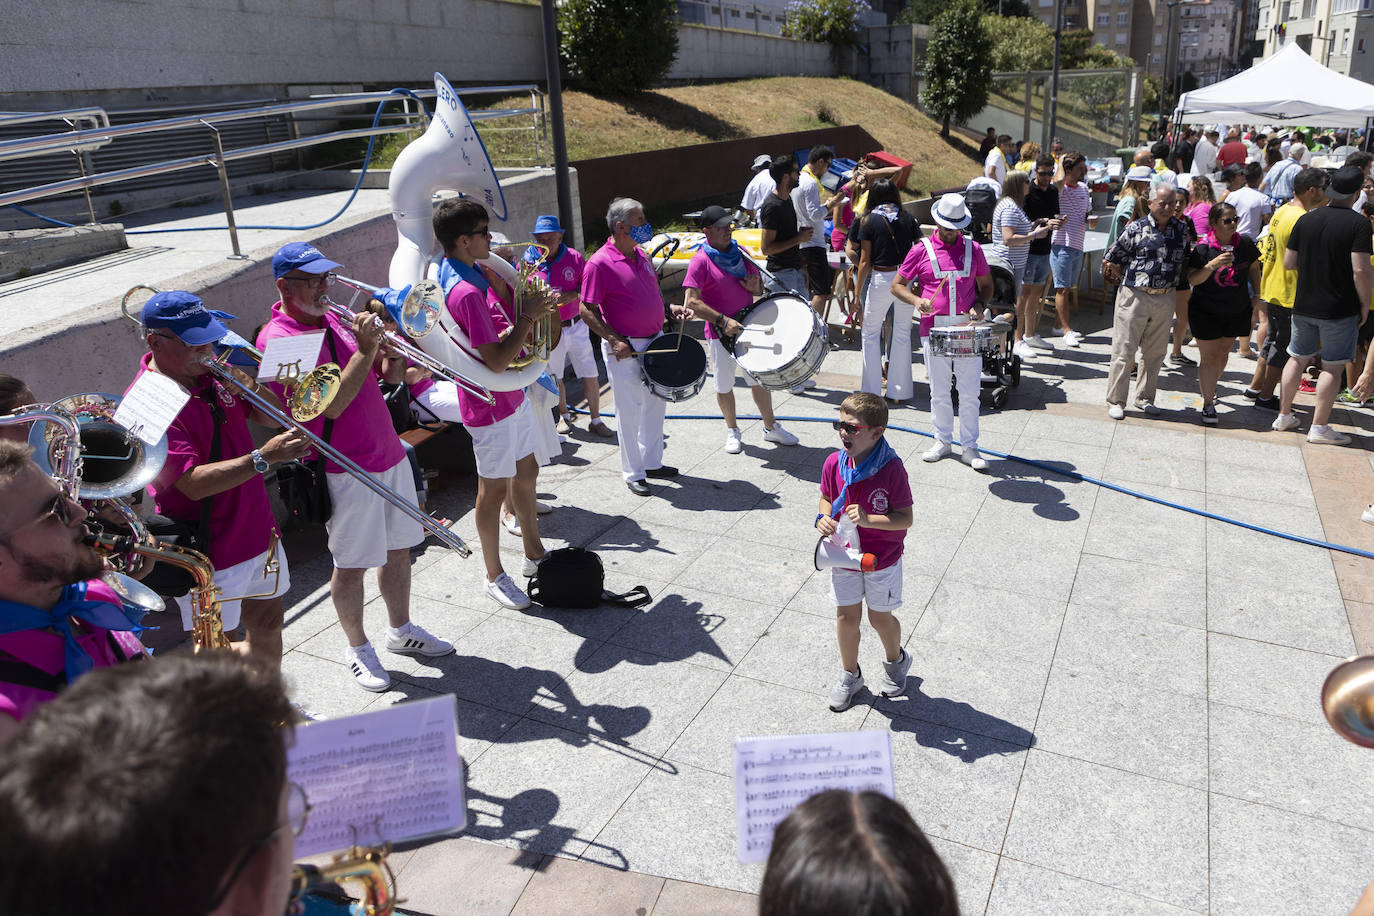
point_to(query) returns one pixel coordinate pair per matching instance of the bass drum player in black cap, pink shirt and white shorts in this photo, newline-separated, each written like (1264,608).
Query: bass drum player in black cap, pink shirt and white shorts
(721,284)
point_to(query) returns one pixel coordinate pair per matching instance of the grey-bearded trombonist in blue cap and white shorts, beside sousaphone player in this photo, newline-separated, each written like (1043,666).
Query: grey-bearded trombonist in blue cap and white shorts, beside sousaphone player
(365,531)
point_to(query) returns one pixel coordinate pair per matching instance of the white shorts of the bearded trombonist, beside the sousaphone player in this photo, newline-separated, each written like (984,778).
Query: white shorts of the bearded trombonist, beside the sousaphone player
(363,527)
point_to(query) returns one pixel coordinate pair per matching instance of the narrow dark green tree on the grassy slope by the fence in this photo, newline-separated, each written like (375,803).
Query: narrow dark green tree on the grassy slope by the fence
(958,73)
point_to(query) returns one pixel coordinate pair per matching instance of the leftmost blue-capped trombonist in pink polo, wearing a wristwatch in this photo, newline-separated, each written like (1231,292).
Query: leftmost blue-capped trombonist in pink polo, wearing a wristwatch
(212,480)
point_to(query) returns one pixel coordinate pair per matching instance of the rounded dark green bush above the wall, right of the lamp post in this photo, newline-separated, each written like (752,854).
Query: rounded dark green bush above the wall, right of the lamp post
(618,47)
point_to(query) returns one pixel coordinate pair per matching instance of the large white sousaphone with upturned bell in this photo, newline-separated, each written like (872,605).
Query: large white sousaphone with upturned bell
(450,157)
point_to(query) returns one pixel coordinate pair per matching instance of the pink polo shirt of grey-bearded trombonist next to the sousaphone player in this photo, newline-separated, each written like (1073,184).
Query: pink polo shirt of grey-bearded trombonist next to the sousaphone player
(363,432)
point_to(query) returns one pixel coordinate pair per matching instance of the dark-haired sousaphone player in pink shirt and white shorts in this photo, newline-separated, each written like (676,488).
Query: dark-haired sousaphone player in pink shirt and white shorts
(504,433)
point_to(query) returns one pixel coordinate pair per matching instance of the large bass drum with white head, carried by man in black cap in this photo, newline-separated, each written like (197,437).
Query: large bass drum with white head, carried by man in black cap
(782,344)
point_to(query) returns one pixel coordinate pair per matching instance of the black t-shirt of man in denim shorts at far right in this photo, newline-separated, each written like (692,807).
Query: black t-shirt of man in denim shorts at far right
(1325,240)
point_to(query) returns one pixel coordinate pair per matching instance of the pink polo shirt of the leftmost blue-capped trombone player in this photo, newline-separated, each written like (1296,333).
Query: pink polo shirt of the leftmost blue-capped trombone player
(241,520)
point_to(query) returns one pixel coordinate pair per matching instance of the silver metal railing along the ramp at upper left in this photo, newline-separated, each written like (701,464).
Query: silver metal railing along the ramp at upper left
(85,141)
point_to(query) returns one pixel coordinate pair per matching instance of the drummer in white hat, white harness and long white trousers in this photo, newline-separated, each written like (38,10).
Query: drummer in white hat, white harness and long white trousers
(949,263)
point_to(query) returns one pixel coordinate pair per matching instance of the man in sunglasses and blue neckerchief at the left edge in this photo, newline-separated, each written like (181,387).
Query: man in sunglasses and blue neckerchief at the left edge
(57,619)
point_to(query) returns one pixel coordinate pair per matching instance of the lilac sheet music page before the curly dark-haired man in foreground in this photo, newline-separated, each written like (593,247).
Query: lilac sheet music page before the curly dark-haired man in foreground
(380,778)
